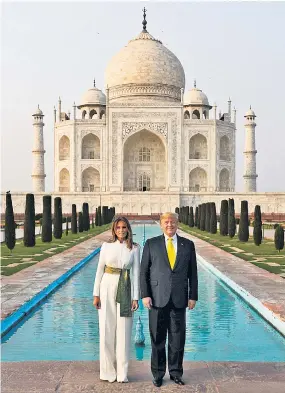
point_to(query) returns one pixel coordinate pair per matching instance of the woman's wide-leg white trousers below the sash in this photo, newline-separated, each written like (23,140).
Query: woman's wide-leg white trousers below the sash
(115,333)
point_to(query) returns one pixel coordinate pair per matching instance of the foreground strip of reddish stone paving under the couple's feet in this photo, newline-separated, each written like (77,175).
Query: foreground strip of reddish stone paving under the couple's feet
(200,377)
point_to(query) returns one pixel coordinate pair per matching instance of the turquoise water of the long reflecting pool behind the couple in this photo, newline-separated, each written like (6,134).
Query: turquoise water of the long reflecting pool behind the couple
(221,328)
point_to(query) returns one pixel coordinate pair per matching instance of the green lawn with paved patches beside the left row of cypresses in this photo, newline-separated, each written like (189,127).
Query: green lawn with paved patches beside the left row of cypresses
(27,256)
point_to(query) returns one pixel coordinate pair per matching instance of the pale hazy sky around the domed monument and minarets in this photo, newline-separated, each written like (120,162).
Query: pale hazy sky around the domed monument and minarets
(54,49)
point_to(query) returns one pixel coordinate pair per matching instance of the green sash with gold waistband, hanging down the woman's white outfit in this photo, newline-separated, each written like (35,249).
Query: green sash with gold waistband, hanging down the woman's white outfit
(124,290)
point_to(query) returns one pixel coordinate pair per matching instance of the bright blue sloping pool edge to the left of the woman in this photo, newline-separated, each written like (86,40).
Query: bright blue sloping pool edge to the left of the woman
(8,323)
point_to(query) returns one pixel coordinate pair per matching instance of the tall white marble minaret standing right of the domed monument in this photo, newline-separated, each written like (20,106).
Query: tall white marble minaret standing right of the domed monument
(250,153)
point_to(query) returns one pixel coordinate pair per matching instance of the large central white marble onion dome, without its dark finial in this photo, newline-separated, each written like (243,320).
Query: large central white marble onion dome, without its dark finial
(145,63)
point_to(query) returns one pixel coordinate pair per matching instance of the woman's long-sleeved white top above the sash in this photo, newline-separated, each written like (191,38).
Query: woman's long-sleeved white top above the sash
(120,256)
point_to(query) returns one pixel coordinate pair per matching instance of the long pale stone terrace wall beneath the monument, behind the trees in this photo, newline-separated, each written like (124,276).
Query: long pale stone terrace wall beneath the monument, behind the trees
(147,203)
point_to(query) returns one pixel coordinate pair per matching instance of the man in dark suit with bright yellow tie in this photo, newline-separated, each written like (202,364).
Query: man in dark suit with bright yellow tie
(169,284)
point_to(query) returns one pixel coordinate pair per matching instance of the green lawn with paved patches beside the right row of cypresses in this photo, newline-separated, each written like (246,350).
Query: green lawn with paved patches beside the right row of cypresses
(261,256)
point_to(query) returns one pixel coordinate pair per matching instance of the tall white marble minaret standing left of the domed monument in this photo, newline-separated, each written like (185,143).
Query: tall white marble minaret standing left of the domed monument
(38,174)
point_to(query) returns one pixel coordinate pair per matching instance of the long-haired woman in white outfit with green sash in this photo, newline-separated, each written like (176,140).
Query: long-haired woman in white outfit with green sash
(116,294)
